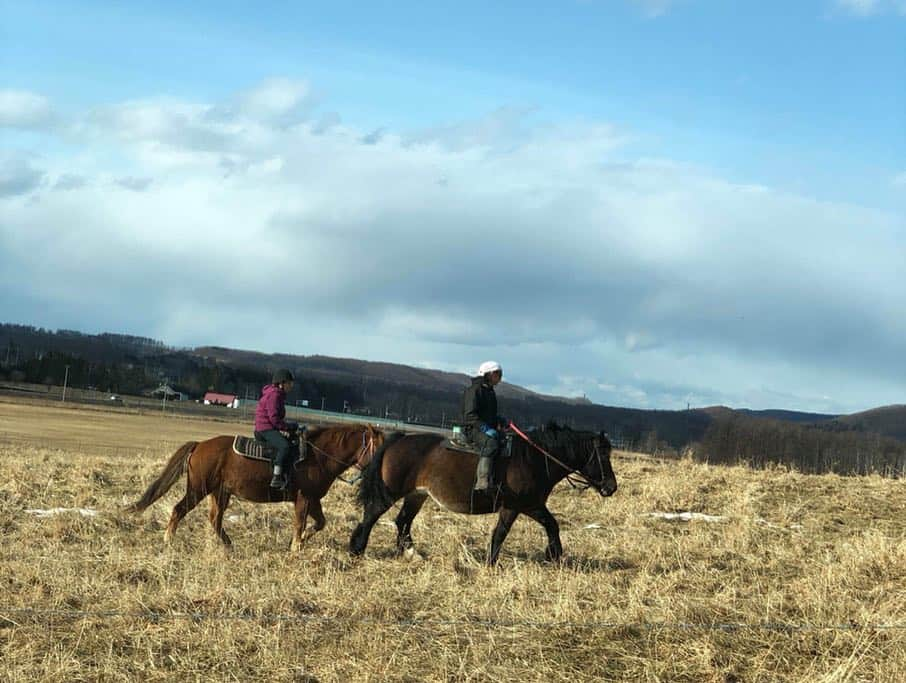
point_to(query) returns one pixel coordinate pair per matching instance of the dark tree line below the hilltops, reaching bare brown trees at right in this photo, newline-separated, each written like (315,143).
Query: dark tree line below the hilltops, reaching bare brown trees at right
(125,364)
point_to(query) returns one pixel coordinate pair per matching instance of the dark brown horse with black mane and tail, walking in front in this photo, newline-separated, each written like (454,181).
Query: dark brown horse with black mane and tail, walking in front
(416,466)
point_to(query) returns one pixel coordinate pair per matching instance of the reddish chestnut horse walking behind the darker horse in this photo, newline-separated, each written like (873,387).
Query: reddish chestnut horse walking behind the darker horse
(214,469)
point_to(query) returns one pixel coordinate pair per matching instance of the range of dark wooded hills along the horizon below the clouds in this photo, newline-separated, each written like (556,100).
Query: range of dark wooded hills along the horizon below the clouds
(128,364)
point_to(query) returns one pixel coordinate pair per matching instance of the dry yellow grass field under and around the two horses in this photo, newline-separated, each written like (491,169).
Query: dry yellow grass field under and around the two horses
(802,578)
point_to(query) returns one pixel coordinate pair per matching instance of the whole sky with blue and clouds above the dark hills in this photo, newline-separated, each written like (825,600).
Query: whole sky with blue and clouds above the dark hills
(755,140)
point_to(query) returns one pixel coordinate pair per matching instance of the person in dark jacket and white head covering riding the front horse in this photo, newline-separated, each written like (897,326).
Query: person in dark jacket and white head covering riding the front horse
(481,423)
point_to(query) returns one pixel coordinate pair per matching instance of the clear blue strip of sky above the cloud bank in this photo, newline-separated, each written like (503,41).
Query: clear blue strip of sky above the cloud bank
(701,79)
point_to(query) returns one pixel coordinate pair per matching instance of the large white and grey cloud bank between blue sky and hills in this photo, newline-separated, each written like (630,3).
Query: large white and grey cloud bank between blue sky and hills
(644,282)
